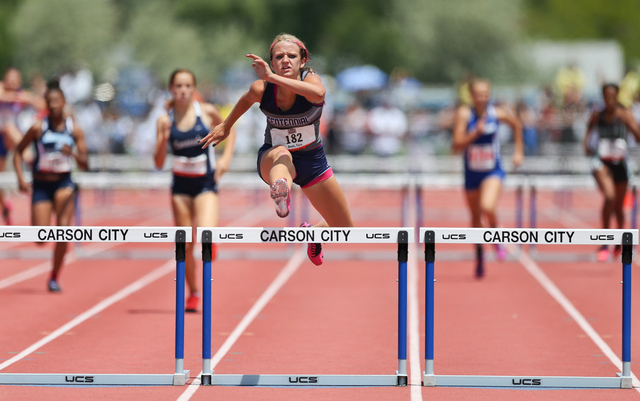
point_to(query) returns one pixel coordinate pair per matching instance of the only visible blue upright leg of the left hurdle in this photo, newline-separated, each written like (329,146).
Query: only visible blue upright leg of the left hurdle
(180,376)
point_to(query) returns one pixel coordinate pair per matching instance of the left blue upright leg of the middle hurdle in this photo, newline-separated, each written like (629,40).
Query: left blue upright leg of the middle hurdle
(207,256)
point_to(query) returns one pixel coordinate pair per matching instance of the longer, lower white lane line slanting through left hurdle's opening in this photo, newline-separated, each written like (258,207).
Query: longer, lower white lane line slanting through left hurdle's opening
(163,270)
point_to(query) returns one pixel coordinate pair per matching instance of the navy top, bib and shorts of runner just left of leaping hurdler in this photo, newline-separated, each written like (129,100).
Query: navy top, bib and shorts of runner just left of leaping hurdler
(193,167)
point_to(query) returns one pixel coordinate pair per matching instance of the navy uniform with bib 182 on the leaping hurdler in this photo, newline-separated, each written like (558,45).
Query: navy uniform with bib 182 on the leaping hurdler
(298,130)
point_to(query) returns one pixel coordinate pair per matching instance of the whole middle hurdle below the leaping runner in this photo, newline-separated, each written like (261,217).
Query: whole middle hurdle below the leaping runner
(400,236)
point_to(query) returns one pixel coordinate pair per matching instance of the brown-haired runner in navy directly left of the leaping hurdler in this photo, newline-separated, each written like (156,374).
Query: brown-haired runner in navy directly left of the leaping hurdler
(196,172)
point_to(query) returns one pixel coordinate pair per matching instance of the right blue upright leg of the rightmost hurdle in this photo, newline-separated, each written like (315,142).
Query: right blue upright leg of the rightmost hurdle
(626,310)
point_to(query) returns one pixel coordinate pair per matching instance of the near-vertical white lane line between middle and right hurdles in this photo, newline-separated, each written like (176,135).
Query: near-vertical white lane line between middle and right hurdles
(414,325)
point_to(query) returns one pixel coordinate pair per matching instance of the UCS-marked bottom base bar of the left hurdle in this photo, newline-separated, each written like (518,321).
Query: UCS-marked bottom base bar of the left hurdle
(88,379)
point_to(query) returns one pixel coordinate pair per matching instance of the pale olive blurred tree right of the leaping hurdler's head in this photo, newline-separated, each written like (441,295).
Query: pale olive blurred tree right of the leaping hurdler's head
(444,39)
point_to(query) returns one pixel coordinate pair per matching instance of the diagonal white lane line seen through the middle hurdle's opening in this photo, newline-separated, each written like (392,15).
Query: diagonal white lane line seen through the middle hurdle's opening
(296,260)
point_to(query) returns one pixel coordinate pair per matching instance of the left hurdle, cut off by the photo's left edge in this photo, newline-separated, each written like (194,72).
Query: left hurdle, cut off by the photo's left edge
(178,235)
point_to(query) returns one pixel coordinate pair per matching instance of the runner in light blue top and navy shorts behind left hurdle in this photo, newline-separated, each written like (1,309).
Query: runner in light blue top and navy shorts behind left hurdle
(58,143)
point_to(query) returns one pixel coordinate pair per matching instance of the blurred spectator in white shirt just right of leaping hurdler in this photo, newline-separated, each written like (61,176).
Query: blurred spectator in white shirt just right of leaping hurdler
(388,126)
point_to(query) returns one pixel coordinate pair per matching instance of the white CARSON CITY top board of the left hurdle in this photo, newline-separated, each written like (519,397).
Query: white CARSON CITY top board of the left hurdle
(91,234)
